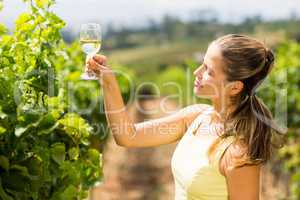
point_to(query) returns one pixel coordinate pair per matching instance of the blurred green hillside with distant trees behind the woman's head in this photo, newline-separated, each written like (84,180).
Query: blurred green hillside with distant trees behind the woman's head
(172,41)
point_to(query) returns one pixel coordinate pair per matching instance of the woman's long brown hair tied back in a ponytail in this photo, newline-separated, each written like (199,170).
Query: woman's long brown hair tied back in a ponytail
(250,61)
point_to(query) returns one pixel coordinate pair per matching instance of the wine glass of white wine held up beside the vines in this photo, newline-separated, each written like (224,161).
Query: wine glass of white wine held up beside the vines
(90,42)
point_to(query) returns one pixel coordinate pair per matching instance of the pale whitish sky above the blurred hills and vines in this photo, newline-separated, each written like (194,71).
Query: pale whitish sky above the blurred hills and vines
(137,12)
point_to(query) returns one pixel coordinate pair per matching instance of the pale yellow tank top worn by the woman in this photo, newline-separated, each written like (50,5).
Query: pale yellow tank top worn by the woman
(195,178)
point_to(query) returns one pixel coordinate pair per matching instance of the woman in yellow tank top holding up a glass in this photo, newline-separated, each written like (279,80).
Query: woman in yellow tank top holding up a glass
(222,147)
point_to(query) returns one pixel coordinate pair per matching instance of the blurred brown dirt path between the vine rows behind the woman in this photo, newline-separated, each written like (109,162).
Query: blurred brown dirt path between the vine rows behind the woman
(145,173)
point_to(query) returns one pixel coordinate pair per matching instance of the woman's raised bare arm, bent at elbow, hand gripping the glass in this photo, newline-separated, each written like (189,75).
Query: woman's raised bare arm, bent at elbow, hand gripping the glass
(145,134)
